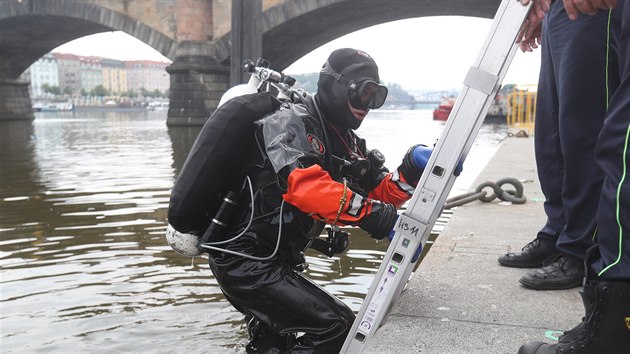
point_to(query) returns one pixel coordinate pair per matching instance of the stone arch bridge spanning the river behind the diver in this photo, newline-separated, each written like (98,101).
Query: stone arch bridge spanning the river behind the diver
(205,39)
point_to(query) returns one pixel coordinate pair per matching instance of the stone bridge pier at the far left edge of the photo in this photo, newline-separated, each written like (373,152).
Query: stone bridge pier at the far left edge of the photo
(15,100)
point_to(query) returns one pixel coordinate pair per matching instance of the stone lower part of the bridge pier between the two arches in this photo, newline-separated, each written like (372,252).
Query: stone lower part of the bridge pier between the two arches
(197,83)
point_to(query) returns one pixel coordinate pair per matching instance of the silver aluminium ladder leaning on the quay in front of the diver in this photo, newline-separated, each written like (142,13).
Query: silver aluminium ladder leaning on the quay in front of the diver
(415,224)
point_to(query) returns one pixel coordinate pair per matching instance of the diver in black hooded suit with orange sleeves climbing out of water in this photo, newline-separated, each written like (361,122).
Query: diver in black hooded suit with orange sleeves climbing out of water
(309,169)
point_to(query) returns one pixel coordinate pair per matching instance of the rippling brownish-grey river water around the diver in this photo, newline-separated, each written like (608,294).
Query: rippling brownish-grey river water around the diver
(83,262)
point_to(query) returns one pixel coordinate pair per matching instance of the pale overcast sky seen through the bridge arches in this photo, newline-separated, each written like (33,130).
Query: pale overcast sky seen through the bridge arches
(428,53)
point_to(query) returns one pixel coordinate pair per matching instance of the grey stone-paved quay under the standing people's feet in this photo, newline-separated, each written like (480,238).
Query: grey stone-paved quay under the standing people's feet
(460,300)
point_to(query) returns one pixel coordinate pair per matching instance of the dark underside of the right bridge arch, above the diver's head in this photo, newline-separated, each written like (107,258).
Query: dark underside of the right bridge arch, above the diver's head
(305,25)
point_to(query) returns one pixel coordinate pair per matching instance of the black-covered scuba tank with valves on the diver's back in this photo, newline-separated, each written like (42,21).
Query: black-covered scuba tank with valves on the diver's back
(219,151)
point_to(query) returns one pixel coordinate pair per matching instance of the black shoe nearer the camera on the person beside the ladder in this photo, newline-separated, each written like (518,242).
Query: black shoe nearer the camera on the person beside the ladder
(560,272)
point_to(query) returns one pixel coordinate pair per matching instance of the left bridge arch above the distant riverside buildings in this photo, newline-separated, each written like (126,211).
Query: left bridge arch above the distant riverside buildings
(39,21)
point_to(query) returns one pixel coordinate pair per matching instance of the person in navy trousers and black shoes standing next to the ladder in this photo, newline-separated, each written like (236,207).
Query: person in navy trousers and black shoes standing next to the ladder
(579,71)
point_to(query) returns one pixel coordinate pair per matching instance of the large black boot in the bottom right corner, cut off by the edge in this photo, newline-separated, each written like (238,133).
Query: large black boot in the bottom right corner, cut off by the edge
(605,328)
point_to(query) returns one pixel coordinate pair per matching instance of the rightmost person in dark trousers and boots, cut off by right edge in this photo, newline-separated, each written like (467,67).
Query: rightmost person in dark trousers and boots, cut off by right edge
(605,328)
